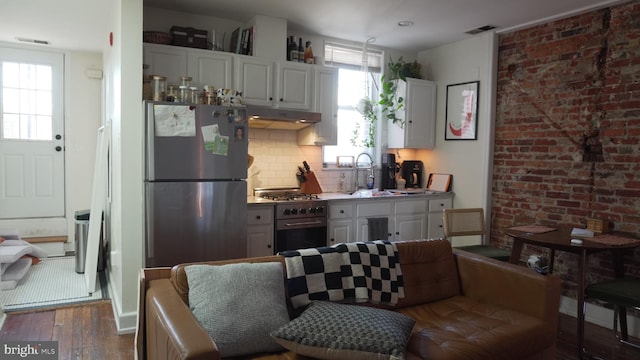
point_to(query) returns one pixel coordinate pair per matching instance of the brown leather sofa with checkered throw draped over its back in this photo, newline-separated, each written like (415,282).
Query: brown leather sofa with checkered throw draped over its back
(466,307)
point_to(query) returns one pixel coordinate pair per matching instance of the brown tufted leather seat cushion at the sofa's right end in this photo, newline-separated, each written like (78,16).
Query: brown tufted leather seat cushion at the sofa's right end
(459,326)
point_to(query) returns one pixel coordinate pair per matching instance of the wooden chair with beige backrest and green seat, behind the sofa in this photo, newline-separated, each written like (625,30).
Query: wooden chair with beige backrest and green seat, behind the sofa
(466,222)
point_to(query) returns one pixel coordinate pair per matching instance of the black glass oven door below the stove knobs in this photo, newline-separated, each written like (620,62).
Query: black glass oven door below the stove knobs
(304,233)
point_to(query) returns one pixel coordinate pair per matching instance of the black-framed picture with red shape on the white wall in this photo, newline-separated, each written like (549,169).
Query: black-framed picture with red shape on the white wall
(461,117)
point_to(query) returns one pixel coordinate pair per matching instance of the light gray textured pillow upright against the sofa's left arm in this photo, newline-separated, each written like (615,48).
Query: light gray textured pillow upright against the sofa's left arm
(239,305)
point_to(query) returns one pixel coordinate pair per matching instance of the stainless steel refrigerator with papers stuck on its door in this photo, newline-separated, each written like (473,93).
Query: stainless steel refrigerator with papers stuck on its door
(195,183)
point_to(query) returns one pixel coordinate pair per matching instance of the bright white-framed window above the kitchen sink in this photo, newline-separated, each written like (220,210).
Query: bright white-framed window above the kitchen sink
(358,76)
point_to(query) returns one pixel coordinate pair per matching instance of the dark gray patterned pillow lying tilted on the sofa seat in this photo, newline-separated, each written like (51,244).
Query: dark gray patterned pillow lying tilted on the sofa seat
(327,330)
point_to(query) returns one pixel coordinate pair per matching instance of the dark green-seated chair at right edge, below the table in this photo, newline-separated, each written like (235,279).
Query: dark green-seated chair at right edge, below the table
(622,293)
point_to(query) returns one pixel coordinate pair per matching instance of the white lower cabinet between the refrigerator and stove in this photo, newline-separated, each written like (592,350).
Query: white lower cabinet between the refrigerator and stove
(260,231)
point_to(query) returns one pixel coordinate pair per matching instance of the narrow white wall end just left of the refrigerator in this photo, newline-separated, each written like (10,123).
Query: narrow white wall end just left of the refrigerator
(123,90)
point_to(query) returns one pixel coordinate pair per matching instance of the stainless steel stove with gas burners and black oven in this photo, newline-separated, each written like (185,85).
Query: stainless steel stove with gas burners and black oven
(300,219)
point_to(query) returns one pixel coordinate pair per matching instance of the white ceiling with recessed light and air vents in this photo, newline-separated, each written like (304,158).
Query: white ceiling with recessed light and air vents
(83,24)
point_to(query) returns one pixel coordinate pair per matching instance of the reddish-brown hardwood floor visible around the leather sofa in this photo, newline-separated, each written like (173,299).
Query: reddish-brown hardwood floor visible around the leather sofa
(89,332)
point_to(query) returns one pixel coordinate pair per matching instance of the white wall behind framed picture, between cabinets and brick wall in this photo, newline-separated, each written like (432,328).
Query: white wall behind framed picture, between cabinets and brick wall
(470,161)
